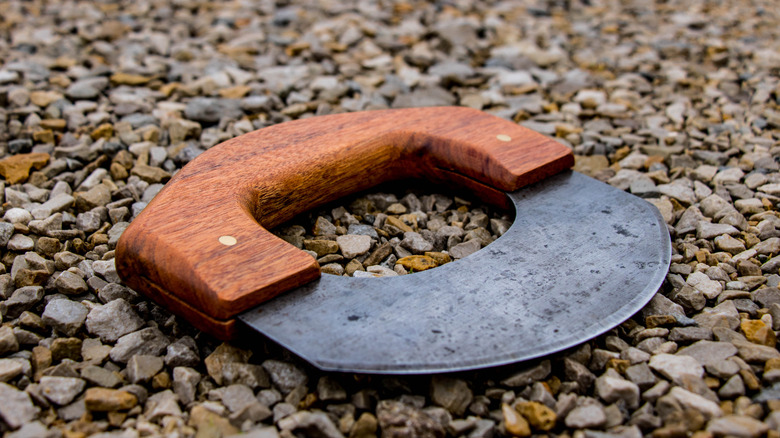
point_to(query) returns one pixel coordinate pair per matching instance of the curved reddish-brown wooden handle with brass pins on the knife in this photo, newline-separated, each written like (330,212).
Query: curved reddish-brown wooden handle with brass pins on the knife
(235,191)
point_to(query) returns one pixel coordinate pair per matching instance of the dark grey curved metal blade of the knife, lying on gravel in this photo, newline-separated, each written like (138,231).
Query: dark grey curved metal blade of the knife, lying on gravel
(580,258)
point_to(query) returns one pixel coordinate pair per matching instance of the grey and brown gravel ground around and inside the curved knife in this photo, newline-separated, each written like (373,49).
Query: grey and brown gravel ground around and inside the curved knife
(101,102)
